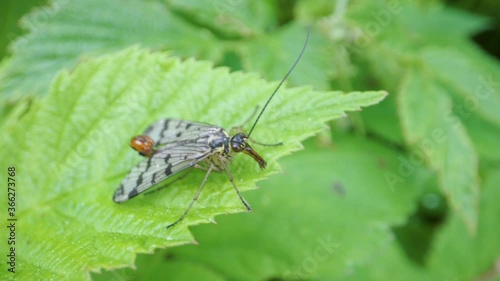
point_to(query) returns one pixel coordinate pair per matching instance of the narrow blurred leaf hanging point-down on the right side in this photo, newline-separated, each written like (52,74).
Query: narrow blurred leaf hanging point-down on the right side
(437,137)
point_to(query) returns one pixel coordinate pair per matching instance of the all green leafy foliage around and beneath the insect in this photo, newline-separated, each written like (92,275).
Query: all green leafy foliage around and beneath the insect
(405,189)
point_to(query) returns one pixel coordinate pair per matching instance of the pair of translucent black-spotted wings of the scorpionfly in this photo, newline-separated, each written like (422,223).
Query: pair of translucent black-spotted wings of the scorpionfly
(178,147)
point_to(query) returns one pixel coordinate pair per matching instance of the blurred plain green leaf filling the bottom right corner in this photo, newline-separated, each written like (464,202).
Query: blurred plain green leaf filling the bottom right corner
(474,258)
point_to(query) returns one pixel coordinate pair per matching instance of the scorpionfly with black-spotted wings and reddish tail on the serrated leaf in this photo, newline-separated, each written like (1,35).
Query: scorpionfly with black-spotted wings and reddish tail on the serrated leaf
(172,146)
